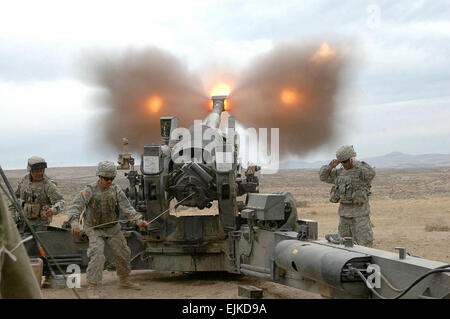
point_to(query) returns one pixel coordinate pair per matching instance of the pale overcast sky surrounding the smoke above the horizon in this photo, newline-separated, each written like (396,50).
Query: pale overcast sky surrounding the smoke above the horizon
(398,96)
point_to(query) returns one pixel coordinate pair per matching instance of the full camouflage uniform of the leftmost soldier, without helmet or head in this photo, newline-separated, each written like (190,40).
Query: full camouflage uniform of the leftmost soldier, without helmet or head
(36,197)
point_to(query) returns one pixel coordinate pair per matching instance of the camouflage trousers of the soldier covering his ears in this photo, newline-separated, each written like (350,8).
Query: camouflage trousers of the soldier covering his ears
(357,227)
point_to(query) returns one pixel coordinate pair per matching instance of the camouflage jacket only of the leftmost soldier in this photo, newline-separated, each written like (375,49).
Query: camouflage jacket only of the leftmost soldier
(41,193)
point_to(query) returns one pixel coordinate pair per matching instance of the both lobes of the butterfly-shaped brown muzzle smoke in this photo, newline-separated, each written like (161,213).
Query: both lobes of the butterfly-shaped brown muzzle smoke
(292,87)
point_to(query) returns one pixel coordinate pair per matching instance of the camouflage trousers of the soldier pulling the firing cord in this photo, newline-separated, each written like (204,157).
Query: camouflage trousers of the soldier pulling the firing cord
(118,244)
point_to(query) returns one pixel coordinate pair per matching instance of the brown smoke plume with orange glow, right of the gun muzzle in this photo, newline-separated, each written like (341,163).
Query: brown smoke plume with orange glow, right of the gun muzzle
(294,88)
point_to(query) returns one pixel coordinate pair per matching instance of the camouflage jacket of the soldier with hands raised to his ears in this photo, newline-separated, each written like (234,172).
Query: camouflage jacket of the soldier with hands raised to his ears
(351,187)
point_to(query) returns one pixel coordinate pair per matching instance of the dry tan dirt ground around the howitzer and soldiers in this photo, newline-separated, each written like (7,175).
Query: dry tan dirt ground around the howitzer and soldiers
(410,208)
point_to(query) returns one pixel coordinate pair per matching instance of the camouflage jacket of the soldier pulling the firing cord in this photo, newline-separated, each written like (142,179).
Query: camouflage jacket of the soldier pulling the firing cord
(102,206)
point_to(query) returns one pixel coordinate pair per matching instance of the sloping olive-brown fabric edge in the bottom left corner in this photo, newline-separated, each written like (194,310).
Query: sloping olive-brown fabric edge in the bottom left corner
(17,279)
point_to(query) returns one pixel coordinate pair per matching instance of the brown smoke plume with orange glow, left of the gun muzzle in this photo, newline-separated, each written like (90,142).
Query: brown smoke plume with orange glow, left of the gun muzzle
(140,87)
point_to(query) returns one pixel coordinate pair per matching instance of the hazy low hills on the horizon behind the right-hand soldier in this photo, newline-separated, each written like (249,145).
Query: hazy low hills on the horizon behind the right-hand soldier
(391,160)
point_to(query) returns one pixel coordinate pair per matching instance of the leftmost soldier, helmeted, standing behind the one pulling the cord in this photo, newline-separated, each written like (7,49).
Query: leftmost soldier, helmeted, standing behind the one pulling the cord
(39,196)
